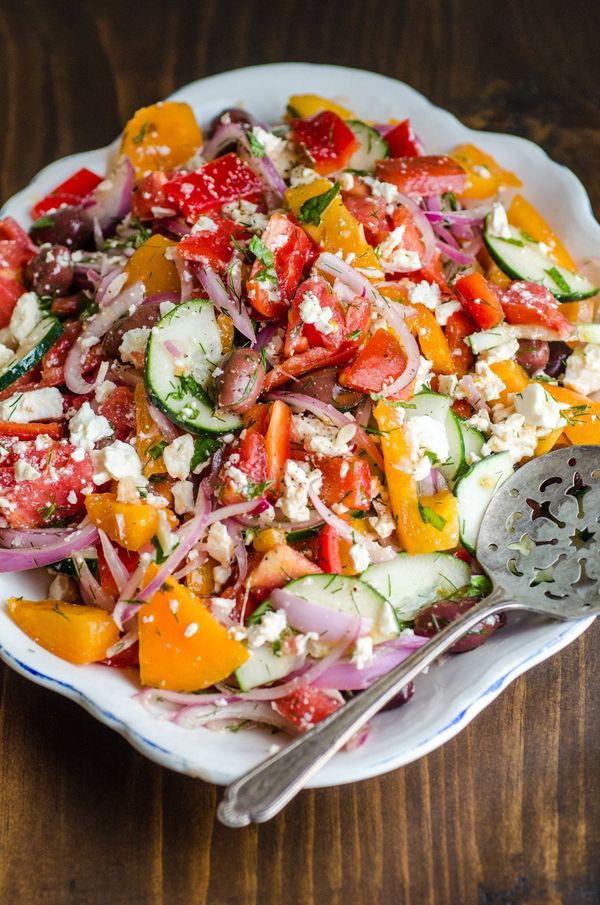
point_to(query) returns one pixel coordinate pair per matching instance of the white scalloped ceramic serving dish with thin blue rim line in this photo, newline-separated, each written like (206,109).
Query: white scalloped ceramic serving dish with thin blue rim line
(451,694)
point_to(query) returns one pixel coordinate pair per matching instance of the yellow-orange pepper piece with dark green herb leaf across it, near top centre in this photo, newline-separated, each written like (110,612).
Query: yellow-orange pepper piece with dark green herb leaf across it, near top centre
(338,230)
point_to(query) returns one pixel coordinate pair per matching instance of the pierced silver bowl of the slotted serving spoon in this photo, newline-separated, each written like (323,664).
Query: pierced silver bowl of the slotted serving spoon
(540,536)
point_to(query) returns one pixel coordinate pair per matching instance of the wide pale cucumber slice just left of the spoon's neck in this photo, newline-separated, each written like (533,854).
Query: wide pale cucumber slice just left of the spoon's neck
(411,582)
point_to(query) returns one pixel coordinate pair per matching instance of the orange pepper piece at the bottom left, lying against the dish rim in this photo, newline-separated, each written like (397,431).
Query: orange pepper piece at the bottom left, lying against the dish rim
(71,631)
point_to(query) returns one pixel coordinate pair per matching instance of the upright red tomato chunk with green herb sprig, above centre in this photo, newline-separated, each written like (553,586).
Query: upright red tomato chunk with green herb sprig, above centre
(292,250)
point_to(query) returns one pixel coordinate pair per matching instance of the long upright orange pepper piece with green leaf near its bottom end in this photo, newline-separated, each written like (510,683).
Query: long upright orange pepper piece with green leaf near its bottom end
(415,517)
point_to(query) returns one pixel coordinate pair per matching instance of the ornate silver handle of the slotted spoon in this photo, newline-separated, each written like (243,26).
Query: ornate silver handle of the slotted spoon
(264,791)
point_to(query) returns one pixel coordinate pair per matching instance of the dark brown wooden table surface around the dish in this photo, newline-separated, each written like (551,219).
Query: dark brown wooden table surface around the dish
(507,813)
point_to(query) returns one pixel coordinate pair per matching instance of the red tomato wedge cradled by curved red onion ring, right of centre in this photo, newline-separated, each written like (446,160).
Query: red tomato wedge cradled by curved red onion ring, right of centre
(377,365)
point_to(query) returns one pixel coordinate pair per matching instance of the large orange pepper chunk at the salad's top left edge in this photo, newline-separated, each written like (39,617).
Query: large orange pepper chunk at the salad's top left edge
(161,137)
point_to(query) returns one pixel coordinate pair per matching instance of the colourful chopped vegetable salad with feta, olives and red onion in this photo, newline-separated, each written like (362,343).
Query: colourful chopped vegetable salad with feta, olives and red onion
(258,385)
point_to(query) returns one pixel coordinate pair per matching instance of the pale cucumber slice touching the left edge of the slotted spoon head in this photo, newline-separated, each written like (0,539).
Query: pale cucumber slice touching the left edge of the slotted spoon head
(474,492)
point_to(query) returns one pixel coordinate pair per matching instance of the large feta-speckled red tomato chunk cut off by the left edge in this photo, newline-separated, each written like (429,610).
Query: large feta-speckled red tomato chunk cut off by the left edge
(56,493)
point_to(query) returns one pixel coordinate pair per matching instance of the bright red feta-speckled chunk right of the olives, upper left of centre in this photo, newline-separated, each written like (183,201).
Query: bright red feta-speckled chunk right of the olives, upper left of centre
(216,183)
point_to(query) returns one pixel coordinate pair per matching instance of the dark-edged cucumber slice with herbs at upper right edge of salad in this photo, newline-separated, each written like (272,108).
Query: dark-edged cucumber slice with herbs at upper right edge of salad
(522,259)
